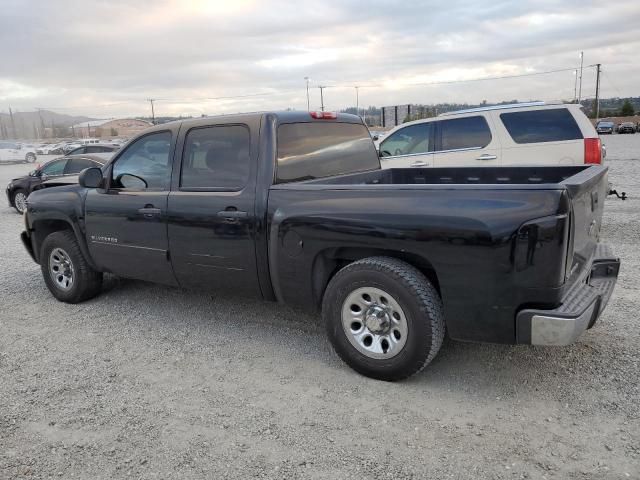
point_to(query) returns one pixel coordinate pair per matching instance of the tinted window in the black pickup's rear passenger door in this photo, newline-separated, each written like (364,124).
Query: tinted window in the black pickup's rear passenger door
(216,157)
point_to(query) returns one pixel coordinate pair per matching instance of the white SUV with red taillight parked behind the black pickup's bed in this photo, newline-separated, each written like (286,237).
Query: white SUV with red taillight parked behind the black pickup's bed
(505,135)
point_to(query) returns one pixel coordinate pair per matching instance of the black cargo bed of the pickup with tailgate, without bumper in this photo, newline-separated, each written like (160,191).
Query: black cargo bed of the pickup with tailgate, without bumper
(497,238)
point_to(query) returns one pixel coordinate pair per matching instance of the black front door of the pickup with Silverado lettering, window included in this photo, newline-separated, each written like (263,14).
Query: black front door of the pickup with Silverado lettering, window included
(127,221)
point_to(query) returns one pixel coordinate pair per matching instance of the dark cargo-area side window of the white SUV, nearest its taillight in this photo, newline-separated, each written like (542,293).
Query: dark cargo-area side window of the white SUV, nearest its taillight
(539,126)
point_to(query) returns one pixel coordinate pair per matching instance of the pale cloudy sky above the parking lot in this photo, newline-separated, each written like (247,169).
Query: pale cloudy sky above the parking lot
(104,58)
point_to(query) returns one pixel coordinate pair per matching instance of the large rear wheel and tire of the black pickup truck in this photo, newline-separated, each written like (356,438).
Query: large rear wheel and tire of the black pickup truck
(383,318)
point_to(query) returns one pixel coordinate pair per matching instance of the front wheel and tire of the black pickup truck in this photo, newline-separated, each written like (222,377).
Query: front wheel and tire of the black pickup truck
(66,272)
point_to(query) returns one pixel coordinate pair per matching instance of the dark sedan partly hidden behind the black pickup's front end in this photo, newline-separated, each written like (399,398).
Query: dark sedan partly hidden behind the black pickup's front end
(61,171)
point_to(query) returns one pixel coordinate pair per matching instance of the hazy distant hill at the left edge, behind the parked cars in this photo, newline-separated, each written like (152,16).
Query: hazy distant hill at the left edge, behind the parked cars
(41,124)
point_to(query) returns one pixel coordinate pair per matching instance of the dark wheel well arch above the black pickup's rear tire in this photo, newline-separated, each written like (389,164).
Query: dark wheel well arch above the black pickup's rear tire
(330,261)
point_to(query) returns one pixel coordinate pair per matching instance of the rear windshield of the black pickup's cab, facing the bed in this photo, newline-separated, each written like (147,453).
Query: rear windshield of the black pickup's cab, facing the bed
(317,149)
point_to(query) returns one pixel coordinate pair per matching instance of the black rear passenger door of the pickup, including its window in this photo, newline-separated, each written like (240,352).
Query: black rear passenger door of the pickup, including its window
(212,219)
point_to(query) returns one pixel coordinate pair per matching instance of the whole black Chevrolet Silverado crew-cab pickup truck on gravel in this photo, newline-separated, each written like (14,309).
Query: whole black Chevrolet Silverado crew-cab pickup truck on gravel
(293,207)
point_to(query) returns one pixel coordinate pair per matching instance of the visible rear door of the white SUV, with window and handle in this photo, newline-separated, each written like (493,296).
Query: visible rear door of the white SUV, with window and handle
(466,142)
